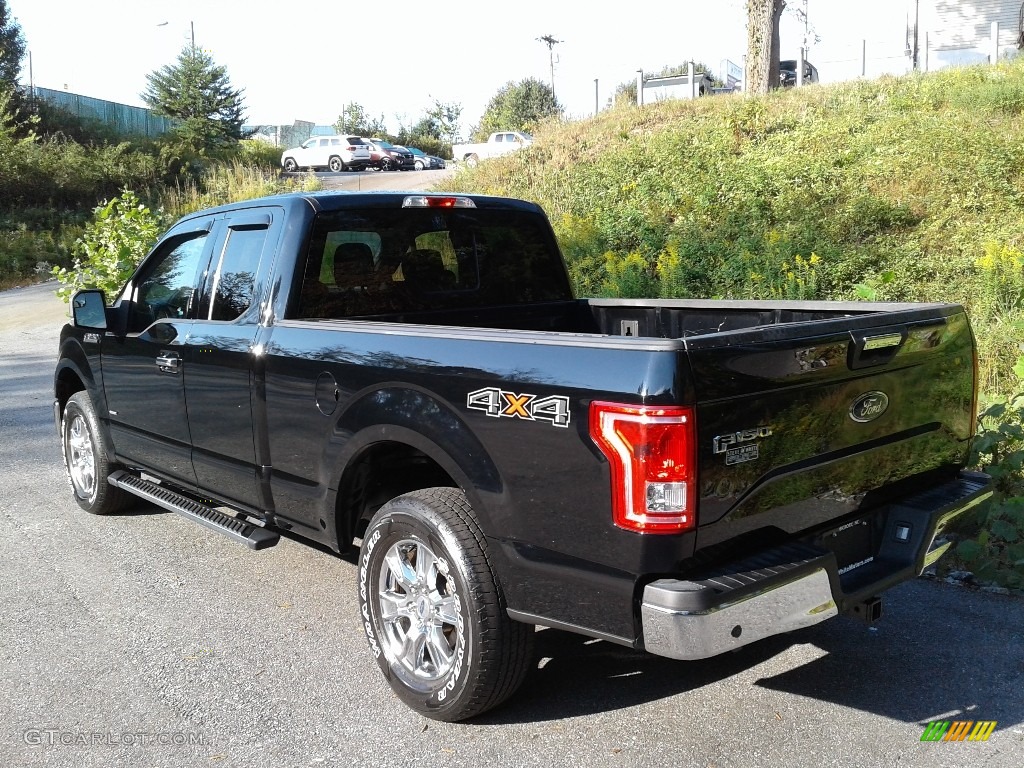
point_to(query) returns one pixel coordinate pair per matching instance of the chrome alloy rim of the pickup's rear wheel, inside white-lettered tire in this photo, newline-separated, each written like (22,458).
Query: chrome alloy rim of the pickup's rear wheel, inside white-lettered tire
(421,614)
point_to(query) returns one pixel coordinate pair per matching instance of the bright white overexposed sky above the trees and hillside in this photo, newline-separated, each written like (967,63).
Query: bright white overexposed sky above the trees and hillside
(307,61)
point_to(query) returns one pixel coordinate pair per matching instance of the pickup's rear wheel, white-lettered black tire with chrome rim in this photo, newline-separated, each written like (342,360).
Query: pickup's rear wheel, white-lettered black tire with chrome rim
(441,635)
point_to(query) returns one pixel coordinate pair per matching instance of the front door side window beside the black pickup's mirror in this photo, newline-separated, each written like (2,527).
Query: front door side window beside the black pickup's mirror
(165,291)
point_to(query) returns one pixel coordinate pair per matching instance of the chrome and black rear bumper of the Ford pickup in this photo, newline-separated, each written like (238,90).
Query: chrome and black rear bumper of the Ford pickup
(800,584)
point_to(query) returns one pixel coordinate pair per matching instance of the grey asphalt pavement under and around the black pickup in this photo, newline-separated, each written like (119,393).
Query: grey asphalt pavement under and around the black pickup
(142,639)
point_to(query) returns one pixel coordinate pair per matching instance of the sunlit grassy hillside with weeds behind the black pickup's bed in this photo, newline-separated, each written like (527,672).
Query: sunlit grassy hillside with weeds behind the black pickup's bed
(899,189)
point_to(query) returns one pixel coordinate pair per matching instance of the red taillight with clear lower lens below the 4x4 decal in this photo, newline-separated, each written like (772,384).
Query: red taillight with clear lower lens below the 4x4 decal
(652,453)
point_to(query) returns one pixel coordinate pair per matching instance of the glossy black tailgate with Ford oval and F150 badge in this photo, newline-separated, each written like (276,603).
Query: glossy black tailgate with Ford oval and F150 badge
(799,430)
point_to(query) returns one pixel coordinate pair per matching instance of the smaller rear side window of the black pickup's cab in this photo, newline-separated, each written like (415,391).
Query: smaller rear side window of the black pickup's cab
(234,281)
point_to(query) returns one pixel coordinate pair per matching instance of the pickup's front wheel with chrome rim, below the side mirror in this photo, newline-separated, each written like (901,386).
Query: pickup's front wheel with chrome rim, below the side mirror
(89,460)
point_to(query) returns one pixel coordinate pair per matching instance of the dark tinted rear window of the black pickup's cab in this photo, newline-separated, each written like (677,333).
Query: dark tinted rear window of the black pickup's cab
(380,262)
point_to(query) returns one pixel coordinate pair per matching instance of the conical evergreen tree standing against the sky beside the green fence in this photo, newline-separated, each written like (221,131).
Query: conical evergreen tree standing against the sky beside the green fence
(198,94)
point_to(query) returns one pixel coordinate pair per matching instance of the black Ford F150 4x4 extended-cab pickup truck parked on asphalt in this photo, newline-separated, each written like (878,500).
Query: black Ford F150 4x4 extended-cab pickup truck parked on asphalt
(413,374)
